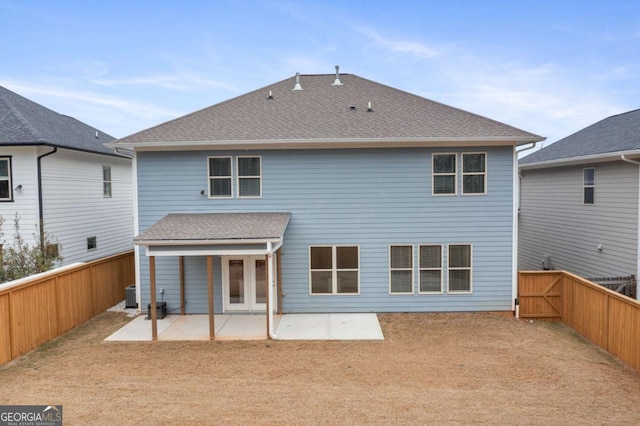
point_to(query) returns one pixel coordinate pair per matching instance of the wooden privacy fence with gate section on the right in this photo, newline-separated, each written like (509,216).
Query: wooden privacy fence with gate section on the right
(609,319)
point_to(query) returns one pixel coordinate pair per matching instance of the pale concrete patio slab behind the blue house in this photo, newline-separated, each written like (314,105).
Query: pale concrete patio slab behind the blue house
(253,327)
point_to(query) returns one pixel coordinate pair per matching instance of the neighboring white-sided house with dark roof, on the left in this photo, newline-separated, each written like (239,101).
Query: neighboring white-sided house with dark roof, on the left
(56,171)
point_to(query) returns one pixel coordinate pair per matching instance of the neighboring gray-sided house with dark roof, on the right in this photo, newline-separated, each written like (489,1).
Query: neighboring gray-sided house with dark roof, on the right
(579,201)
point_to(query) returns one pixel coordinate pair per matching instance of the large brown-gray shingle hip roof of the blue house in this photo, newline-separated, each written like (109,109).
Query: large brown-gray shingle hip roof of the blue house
(322,111)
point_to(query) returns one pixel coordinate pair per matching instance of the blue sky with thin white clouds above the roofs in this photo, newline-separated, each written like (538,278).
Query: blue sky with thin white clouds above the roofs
(550,67)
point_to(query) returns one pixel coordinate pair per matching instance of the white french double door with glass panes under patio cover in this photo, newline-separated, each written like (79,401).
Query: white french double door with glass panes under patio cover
(244,283)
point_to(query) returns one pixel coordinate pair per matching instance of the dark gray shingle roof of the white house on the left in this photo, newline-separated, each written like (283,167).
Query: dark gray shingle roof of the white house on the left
(24,122)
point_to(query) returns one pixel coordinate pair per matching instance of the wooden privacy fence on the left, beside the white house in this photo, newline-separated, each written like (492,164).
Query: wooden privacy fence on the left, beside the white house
(38,309)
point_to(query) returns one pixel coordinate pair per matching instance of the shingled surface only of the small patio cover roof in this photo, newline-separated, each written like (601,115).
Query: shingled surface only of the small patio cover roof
(178,227)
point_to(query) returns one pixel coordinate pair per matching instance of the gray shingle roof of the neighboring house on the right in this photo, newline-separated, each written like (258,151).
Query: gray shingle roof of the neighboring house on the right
(618,133)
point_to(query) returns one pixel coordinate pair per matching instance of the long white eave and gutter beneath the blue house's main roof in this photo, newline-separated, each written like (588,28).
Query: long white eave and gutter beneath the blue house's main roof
(326,143)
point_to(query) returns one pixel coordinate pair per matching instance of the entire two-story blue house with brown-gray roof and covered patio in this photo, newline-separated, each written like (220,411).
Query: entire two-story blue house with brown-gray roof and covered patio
(327,193)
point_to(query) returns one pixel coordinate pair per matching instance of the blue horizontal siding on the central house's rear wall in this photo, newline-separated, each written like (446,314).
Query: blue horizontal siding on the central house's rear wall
(369,197)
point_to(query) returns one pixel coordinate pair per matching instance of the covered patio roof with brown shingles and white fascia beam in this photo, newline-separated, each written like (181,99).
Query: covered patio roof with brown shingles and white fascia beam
(208,234)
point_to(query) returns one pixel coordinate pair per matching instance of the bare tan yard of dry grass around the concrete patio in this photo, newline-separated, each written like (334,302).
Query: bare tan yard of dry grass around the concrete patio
(431,368)
